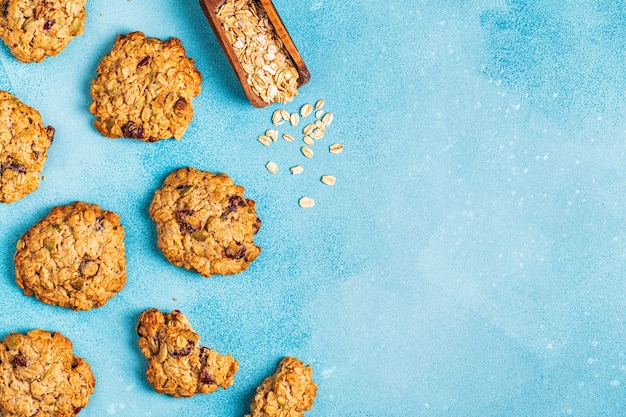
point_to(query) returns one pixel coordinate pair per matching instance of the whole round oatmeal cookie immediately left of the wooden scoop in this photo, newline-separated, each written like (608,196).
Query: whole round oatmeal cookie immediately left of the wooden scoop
(144,89)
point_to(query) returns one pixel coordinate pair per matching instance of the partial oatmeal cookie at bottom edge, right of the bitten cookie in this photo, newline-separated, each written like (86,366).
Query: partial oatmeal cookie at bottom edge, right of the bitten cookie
(287,393)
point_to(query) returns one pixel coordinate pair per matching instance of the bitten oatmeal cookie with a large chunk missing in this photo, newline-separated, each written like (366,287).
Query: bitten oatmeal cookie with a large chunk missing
(178,365)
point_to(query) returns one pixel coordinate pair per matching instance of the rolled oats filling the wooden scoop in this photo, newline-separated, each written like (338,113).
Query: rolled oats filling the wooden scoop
(267,64)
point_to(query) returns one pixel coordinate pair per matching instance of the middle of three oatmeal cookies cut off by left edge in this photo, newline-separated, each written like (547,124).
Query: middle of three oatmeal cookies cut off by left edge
(24,143)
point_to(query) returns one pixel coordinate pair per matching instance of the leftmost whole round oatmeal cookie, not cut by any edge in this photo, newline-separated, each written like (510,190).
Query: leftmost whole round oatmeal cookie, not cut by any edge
(73,258)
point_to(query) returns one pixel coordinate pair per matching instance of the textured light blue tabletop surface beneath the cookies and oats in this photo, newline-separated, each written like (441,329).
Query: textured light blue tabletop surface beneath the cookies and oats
(471,259)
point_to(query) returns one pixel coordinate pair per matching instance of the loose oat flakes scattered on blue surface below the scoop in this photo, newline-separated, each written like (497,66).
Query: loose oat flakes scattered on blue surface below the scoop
(312,132)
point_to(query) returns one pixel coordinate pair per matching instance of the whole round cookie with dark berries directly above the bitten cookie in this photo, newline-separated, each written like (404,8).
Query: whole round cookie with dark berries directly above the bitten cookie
(204,222)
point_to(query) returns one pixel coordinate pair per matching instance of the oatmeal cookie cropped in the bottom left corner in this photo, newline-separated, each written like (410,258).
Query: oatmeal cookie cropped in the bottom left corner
(41,376)
